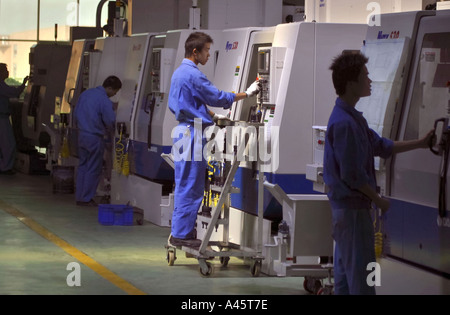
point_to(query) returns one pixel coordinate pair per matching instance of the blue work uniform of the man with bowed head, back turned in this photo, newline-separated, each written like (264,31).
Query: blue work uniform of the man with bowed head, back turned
(94,115)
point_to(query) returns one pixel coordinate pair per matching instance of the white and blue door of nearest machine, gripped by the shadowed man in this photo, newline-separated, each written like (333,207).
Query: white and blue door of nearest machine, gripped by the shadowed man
(416,232)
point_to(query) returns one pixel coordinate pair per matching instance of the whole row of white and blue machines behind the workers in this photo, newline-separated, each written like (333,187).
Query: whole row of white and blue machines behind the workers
(409,58)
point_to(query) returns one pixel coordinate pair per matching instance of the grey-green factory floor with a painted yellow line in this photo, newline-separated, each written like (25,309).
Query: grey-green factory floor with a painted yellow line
(42,233)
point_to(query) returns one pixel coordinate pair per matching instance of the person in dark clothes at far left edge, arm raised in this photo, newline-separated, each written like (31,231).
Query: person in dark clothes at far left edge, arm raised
(7,140)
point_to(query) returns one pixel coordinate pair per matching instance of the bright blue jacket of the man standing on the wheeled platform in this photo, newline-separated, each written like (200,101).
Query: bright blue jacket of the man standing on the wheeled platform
(191,91)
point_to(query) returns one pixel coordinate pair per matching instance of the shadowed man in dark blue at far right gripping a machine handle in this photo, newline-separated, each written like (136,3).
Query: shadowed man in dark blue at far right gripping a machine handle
(349,173)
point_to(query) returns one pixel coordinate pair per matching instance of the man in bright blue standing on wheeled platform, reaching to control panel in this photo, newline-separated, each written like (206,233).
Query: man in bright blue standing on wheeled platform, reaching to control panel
(189,94)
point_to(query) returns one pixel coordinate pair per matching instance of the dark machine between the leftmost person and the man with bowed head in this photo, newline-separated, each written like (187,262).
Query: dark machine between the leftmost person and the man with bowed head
(36,120)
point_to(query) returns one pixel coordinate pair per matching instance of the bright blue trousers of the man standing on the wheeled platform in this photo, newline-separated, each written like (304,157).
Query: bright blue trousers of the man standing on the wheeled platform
(190,171)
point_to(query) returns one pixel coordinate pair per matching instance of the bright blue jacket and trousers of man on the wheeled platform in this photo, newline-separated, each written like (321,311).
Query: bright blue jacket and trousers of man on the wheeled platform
(190,91)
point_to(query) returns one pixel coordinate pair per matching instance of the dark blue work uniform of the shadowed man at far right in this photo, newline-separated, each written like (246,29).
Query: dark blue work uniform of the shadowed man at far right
(350,148)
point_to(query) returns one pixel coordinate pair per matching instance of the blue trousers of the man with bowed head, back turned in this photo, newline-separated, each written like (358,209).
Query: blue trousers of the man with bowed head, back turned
(90,153)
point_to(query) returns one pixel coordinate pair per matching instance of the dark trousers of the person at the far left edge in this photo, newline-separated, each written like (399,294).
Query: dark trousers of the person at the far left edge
(7,144)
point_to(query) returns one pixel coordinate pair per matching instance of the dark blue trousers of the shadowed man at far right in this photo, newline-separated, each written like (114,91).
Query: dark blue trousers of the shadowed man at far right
(353,233)
